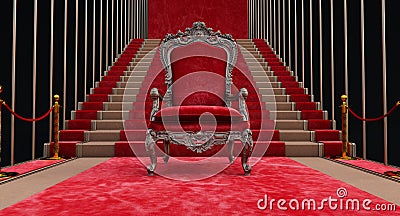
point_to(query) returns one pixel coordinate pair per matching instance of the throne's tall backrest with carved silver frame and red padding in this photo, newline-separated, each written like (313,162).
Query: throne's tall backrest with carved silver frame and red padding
(198,65)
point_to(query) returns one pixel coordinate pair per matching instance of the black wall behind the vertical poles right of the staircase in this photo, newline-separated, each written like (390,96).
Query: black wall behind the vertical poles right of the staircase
(373,60)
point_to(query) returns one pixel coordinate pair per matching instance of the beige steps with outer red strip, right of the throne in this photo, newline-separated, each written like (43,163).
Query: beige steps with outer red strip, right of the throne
(301,123)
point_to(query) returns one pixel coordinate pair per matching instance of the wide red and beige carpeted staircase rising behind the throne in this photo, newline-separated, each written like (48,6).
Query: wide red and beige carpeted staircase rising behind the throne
(114,115)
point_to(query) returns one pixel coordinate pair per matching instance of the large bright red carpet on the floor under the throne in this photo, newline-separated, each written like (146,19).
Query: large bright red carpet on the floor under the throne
(120,186)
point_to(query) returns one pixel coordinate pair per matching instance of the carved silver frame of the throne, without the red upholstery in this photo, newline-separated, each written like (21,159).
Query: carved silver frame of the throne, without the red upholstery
(199,141)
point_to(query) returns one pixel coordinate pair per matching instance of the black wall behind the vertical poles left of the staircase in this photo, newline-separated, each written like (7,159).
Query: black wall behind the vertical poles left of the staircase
(24,67)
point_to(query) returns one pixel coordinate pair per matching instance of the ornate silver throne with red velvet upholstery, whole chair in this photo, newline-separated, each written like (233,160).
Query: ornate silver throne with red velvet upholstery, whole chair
(196,110)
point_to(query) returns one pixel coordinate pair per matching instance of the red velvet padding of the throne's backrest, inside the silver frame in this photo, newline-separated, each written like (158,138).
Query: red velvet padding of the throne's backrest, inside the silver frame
(198,75)
